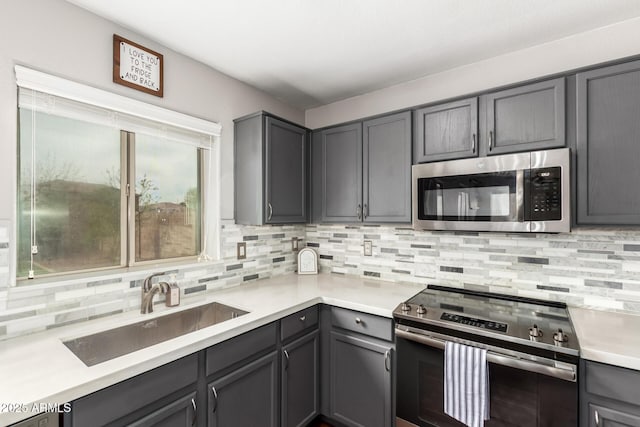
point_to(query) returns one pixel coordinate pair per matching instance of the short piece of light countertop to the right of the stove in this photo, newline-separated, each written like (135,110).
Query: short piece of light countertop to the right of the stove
(608,337)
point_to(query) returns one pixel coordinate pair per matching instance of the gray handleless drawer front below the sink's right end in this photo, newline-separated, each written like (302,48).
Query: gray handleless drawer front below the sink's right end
(250,344)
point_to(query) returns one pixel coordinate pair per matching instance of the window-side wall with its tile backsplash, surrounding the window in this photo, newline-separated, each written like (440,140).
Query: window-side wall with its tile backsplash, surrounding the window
(61,39)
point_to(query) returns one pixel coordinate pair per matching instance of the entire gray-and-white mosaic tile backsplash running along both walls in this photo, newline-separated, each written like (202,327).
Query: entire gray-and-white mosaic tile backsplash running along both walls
(597,268)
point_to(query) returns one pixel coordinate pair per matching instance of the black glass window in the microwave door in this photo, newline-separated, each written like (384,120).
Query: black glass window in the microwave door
(480,197)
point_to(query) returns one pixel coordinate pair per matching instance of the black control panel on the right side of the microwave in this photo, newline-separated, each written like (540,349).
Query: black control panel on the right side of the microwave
(543,194)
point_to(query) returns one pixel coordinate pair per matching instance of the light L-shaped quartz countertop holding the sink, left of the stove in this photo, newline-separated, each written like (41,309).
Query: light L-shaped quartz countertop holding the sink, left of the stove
(38,368)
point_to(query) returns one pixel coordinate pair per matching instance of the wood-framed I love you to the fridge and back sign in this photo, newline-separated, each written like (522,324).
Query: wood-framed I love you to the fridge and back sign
(137,67)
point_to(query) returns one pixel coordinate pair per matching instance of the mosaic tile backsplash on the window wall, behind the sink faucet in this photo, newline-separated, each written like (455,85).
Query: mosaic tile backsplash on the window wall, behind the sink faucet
(31,308)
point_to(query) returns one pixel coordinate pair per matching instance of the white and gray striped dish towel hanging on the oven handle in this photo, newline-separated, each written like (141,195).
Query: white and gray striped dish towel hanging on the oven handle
(466,384)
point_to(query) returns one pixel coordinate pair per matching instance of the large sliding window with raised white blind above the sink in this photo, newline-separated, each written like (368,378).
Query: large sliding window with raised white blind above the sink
(101,189)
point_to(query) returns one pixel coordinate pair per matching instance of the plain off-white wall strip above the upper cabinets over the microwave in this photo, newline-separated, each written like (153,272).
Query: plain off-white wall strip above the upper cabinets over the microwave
(584,49)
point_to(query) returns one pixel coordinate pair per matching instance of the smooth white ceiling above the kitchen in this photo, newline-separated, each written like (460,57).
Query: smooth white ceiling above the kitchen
(314,52)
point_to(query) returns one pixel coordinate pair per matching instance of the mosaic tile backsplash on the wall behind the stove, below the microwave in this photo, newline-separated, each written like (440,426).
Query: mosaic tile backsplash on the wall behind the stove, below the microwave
(587,267)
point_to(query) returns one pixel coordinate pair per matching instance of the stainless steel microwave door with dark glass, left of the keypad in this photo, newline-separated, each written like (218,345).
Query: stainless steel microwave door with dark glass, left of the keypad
(471,194)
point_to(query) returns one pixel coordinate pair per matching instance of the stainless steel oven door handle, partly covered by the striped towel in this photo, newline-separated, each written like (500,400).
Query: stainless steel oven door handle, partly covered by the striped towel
(498,359)
